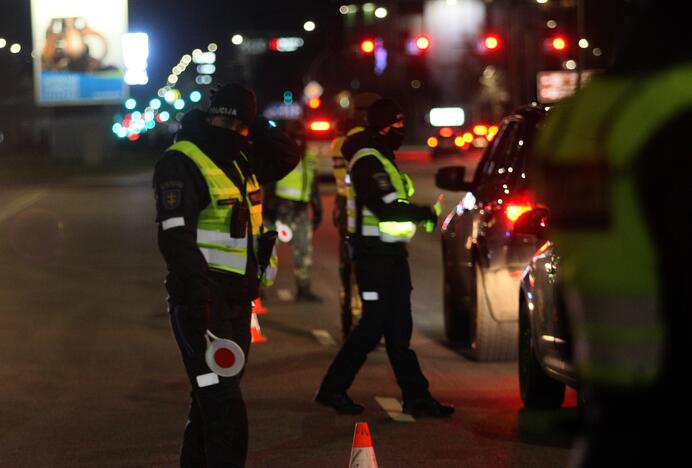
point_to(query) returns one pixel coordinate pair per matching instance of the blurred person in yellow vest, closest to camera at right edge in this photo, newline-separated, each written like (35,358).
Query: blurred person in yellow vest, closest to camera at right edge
(609,167)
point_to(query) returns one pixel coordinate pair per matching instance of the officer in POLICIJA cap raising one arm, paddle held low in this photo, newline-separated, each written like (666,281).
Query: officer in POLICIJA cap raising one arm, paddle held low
(209,213)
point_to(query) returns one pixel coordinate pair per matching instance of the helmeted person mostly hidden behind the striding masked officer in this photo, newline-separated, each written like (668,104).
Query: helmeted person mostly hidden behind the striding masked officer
(353,126)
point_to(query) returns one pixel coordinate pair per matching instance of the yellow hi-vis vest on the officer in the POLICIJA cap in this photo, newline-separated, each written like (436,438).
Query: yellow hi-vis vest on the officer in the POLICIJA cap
(221,251)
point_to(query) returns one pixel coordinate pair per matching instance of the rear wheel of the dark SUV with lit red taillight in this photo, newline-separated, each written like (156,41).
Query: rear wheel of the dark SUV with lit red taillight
(491,340)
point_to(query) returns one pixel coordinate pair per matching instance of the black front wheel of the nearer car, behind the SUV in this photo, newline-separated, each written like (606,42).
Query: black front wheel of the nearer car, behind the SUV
(537,389)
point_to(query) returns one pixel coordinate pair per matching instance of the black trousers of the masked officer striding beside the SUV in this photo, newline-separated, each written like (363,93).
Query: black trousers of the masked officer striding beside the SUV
(385,288)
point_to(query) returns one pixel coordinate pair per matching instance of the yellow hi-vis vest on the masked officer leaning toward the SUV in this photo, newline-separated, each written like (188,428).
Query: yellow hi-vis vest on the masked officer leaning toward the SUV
(386,231)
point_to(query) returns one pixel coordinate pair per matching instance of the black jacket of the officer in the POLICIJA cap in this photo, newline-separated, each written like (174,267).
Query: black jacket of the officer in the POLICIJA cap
(181,192)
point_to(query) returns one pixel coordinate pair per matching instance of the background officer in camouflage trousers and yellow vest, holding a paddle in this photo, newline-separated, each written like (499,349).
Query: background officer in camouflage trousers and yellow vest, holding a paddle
(286,208)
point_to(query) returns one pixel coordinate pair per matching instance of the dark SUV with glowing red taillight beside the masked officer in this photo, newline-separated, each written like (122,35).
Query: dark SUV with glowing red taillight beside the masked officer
(483,261)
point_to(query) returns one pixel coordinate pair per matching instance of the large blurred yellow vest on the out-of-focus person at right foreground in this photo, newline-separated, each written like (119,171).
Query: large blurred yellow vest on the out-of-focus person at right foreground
(602,130)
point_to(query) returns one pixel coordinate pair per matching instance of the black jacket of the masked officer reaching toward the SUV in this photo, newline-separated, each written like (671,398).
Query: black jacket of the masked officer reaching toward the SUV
(370,181)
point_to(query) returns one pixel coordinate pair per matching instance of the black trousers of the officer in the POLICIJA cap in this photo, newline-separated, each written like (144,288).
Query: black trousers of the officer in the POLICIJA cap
(216,433)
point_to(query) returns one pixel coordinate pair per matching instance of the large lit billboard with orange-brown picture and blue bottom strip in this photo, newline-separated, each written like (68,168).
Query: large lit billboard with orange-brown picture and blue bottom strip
(78,55)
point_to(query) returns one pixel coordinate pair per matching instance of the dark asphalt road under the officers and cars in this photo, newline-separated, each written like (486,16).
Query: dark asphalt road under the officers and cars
(91,376)
